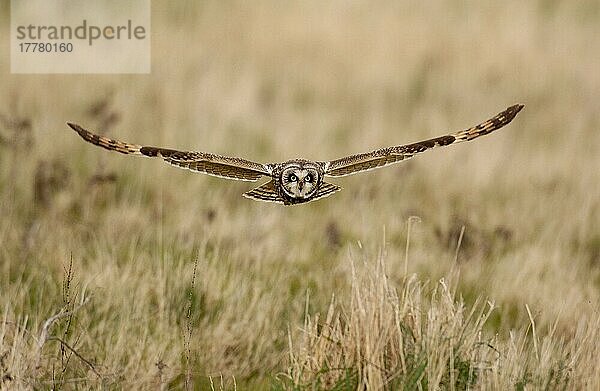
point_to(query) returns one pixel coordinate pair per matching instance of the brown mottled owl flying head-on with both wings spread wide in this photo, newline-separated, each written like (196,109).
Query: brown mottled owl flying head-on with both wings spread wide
(296,181)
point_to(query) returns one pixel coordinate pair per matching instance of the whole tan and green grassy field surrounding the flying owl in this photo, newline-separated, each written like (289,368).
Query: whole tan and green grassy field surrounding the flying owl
(471,267)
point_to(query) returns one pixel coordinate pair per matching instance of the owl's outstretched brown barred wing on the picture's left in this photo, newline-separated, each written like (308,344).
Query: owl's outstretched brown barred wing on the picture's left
(208,163)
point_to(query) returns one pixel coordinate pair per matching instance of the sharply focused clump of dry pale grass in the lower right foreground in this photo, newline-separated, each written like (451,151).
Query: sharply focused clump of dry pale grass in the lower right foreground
(410,335)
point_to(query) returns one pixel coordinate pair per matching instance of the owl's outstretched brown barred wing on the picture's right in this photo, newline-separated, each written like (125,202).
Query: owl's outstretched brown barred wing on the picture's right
(382,157)
